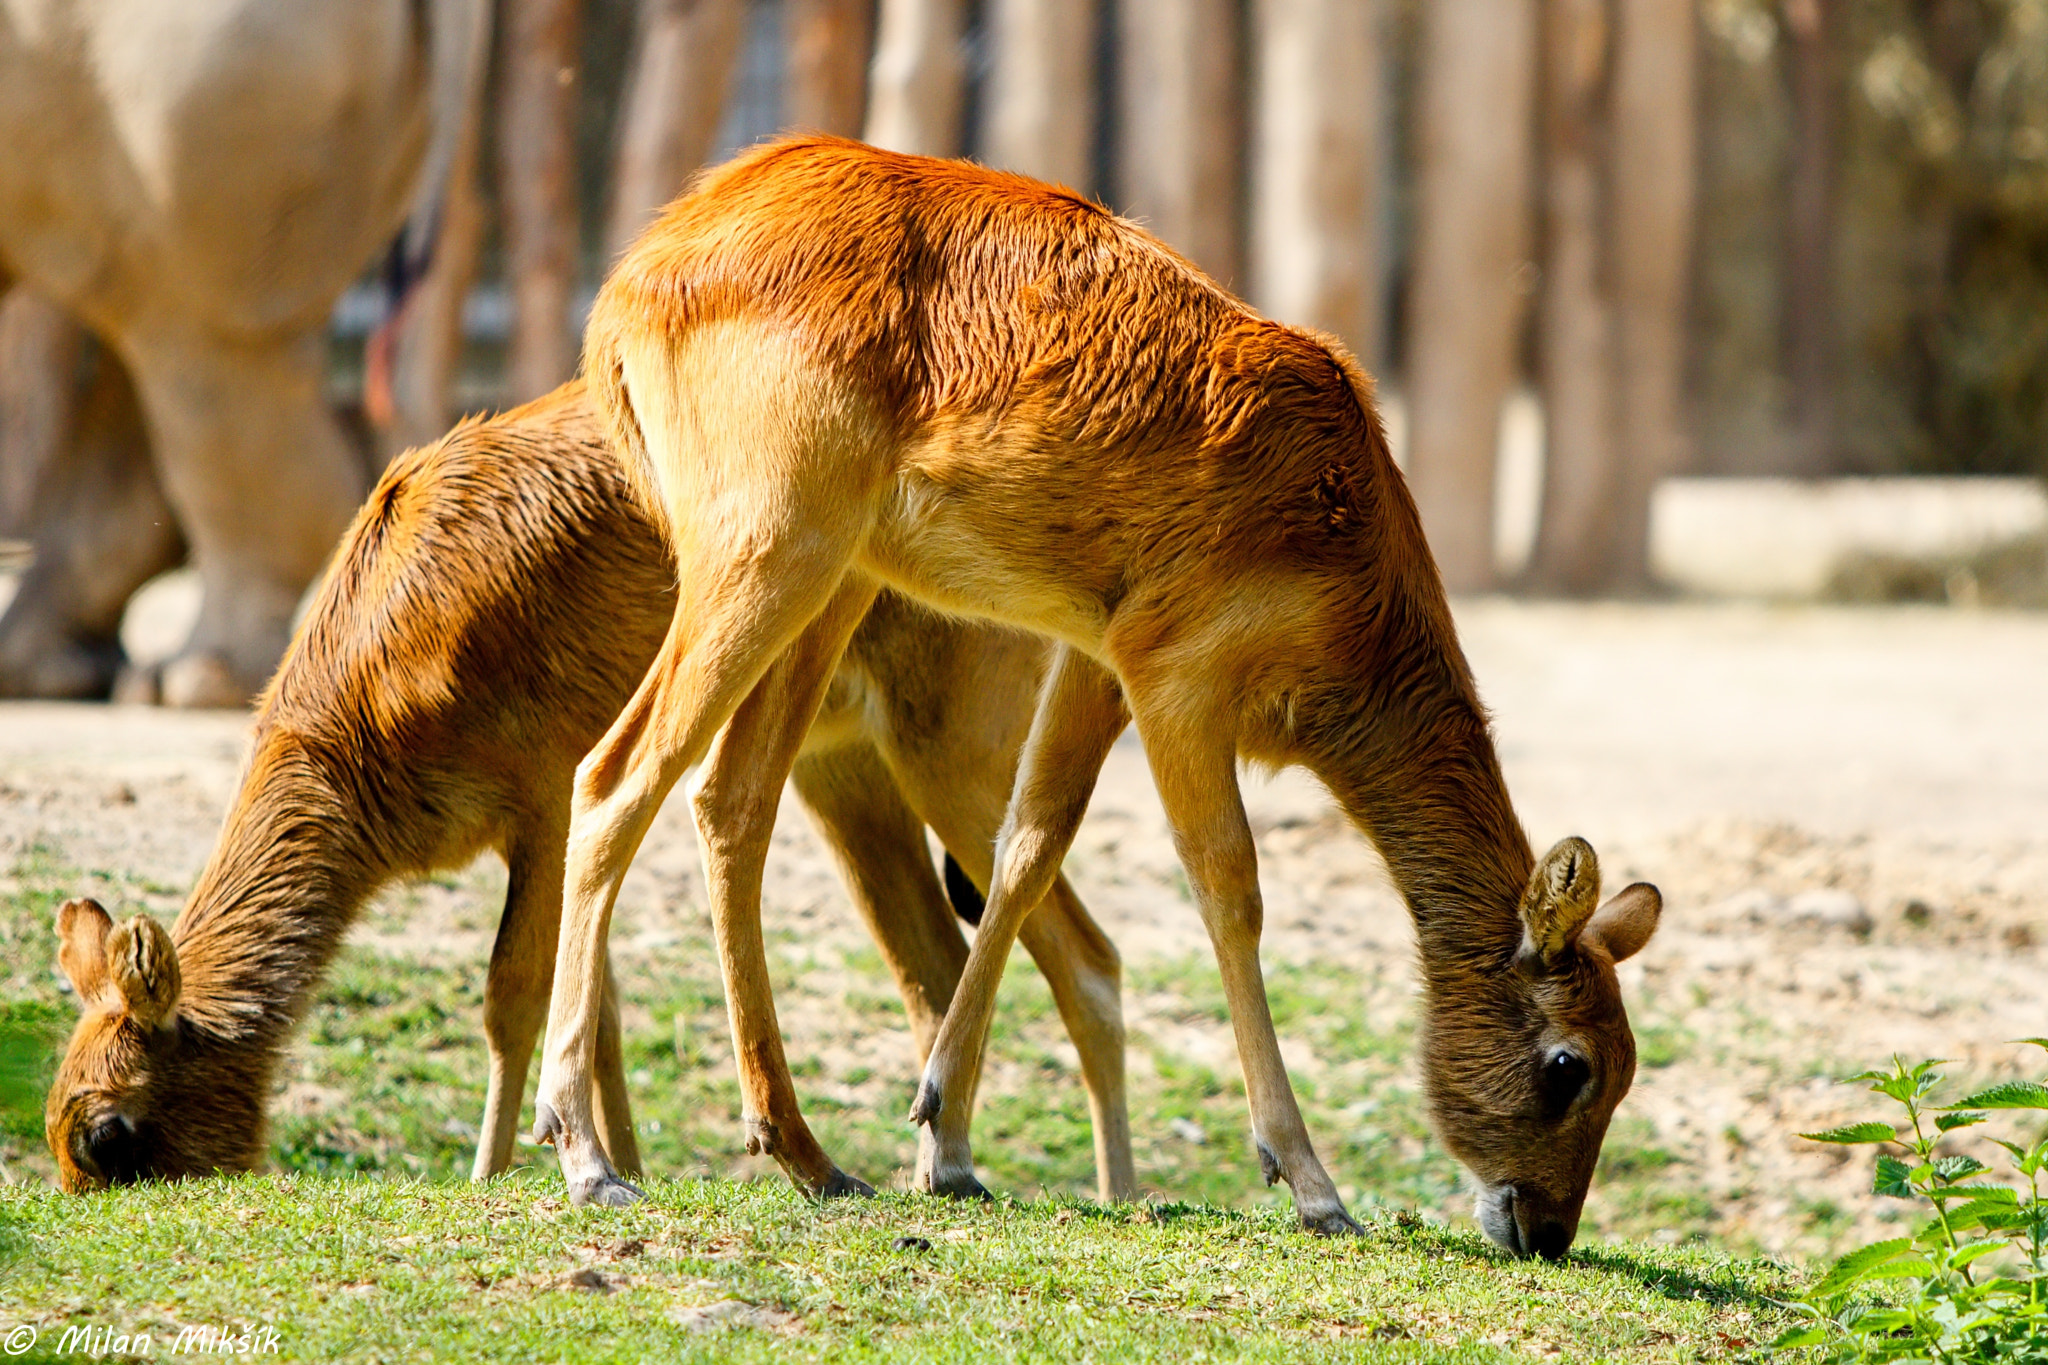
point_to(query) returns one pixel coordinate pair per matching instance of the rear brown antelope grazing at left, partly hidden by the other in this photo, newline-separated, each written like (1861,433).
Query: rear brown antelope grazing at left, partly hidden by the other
(480,627)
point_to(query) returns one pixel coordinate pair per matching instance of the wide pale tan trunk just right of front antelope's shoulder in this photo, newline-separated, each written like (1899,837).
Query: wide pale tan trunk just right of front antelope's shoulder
(1471,245)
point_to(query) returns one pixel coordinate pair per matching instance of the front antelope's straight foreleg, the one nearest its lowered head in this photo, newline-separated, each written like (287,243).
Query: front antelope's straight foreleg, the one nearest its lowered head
(1197,779)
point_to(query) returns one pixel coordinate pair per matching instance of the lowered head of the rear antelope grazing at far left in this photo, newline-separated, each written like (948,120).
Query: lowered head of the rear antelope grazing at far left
(136,1098)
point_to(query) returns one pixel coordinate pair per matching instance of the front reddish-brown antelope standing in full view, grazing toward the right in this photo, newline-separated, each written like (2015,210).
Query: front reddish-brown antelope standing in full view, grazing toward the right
(833,369)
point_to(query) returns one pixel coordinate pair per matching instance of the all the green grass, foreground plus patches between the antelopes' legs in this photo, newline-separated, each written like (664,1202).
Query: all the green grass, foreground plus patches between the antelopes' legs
(368,1221)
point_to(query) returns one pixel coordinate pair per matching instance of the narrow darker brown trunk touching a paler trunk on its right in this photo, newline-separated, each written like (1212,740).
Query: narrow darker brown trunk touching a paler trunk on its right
(1576,322)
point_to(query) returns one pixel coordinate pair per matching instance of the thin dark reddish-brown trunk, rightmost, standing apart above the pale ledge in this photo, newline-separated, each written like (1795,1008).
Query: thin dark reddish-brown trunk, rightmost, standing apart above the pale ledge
(1811,230)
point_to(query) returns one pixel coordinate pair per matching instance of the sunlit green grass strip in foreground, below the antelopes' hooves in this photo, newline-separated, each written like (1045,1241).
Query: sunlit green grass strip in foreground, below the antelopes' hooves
(433,1272)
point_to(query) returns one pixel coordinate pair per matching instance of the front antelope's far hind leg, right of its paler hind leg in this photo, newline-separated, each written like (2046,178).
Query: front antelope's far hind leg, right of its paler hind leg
(736,807)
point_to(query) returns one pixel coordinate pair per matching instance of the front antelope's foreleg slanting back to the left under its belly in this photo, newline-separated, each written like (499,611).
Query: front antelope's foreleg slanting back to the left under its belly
(1080,715)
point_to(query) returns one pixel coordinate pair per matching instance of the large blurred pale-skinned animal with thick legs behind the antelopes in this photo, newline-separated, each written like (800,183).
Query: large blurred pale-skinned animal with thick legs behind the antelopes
(198,183)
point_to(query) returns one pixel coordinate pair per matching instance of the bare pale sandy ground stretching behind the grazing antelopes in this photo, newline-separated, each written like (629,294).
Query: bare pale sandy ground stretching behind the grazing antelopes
(1846,809)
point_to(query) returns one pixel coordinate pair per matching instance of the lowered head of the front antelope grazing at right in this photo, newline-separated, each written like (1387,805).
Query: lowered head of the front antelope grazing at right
(1527,1059)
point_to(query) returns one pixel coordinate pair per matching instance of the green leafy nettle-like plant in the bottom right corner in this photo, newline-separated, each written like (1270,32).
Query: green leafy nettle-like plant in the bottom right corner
(1965,1286)
